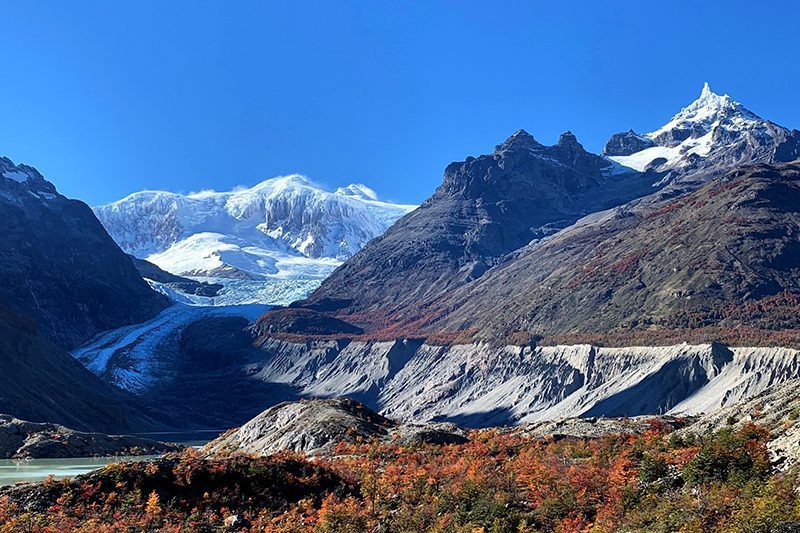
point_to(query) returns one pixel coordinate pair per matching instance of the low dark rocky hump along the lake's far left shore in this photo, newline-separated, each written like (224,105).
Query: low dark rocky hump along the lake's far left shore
(20,439)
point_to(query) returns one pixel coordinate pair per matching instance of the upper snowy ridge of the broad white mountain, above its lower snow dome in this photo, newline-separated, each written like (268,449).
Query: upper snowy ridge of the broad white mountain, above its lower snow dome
(286,214)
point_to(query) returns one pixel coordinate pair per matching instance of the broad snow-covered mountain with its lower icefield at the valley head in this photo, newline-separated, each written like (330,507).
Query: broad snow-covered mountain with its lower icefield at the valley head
(274,241)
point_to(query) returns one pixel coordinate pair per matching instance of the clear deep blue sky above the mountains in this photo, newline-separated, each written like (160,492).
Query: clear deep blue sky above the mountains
(107,98)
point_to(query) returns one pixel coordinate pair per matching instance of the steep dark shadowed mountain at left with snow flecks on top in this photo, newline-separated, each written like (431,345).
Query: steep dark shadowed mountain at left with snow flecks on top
(59,265)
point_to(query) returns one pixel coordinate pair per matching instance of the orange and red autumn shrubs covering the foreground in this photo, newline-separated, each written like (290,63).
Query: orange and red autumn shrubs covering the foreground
(499,481)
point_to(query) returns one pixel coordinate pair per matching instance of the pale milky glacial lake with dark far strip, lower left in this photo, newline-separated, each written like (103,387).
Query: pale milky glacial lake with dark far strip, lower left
(31,470)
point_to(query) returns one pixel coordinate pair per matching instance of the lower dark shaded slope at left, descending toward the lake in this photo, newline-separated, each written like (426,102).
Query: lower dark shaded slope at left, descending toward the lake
(39,381)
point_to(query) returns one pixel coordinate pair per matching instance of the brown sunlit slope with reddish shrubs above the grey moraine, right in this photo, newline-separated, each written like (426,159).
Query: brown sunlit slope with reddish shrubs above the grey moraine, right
(723,256)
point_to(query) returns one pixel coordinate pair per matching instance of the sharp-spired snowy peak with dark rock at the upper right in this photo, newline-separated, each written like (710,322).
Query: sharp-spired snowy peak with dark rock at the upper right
(712,133)
